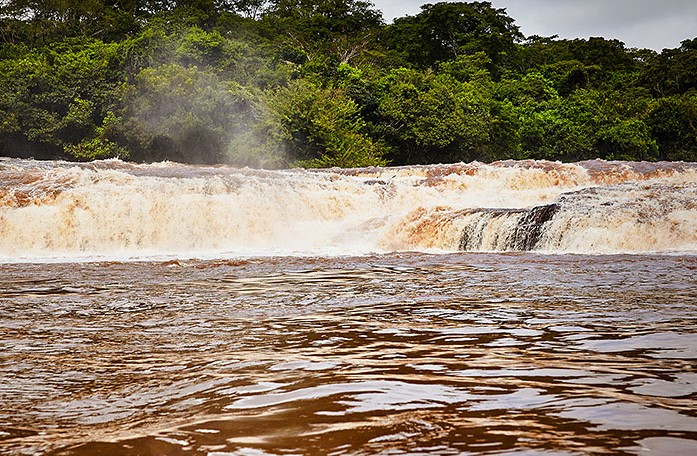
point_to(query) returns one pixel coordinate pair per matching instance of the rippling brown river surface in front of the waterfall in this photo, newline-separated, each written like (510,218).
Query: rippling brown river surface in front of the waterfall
(395,354)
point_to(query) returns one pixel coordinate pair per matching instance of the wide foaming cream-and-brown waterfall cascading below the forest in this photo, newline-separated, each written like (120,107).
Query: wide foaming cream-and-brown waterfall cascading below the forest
(116,209)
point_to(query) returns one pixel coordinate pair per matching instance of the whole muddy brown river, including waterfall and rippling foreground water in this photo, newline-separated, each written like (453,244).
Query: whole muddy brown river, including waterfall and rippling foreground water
(512,308)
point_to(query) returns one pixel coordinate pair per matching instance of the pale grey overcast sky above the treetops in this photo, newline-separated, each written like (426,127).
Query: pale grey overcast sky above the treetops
(653,24)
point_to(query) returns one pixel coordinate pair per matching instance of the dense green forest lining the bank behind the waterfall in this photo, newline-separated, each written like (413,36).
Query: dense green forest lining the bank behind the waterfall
(327,83)
